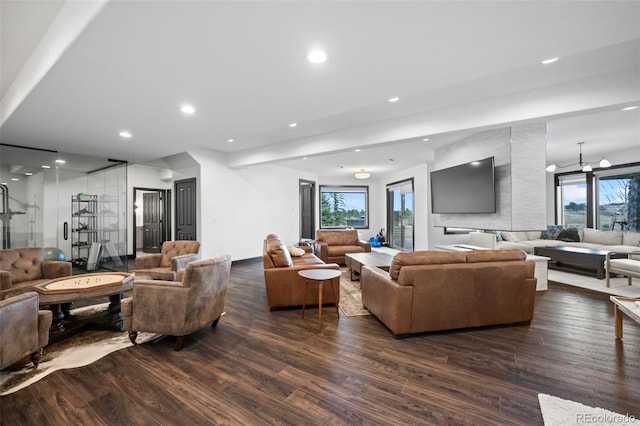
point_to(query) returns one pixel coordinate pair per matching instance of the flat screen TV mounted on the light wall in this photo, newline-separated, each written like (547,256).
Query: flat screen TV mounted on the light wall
(466,188)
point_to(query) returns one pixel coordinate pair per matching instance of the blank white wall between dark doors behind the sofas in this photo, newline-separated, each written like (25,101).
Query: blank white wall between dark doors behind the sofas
(239,207)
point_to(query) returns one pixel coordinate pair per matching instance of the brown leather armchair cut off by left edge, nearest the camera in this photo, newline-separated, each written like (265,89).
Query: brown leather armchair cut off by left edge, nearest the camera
(24,329)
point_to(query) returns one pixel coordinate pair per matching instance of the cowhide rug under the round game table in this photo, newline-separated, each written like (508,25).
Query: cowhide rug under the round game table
(79,350)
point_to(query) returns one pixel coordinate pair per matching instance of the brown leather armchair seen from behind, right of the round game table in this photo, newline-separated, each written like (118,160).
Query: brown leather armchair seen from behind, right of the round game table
(178,308)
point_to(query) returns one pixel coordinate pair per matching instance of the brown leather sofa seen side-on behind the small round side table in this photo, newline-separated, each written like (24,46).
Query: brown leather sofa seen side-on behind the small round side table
(285,288)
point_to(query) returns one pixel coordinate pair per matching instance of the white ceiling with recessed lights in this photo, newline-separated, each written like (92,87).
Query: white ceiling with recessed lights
(74,74)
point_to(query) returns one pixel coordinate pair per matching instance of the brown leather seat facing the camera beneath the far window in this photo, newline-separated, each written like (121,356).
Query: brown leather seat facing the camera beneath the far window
(332,245)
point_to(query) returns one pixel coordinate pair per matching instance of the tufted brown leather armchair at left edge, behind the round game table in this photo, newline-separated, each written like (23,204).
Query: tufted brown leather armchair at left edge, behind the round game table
(22,268)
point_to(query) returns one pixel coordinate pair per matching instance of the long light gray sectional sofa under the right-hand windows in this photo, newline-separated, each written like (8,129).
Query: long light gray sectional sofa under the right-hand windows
(616,241)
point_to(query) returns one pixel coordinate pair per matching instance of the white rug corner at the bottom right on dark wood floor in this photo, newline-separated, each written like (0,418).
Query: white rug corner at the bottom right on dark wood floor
(561,412)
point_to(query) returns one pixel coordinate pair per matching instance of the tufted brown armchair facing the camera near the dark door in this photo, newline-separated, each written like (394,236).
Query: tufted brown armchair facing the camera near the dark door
(173,256)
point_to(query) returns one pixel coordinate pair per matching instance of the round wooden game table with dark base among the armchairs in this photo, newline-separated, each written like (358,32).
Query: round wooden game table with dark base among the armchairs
(61,292)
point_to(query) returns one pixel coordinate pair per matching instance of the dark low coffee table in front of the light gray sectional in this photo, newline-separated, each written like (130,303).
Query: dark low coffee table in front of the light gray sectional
(576,259)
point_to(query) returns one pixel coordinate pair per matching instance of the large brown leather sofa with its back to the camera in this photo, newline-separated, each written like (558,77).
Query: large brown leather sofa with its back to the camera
(431,290)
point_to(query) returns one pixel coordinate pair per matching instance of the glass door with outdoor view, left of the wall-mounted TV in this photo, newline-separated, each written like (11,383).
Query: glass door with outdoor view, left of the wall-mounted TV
(400,215)
